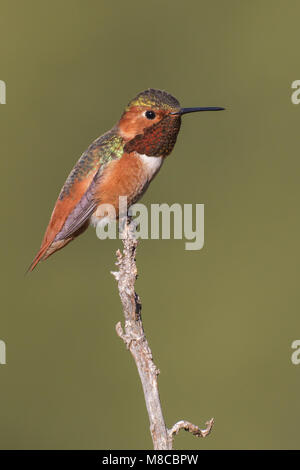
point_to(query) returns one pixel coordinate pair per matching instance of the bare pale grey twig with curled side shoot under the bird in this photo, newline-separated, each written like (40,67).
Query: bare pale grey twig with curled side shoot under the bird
(134,337)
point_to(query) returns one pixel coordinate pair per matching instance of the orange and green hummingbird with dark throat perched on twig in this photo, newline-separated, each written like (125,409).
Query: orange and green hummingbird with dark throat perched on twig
(122,162)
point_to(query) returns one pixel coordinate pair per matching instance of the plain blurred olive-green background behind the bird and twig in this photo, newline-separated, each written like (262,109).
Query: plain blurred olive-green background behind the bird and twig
(220,321)
